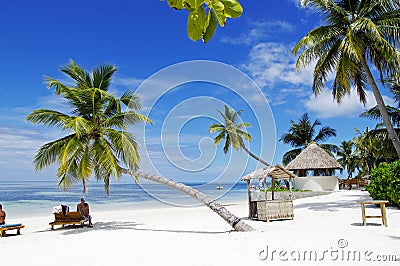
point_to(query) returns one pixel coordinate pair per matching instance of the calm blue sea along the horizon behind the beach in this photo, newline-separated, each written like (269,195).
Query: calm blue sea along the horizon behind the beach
(37,198)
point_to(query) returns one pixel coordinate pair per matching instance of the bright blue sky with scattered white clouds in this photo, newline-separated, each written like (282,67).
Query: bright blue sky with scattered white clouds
(144,40)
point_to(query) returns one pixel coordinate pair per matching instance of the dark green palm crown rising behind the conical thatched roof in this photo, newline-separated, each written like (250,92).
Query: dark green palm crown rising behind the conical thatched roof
(304,133)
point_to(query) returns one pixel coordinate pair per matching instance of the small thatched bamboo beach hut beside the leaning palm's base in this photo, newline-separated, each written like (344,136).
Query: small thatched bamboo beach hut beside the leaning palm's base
(262,208)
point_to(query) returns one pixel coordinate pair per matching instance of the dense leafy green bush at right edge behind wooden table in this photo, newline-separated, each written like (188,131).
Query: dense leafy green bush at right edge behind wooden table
(385,183)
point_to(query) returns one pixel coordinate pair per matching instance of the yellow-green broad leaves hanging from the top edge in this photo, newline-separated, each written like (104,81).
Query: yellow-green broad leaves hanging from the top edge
(205,15)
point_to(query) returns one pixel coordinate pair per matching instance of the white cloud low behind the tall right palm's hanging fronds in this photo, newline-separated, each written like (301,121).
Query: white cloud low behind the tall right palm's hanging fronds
(325,106)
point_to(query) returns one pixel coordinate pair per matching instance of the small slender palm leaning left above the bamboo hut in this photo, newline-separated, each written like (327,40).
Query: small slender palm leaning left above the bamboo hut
(233,133)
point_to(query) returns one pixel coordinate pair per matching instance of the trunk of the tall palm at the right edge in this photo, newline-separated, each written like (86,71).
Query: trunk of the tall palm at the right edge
(381,106)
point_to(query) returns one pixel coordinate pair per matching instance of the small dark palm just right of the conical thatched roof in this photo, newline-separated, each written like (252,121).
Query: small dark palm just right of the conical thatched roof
(347,157)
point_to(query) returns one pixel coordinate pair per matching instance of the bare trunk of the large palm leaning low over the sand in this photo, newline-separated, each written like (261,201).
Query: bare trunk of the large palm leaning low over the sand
(229,217)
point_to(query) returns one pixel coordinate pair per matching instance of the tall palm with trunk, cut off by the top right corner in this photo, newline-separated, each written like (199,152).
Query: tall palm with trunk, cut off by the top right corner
(357,33)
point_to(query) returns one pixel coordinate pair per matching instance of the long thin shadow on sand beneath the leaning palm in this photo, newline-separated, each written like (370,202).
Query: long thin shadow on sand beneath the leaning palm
(118,225)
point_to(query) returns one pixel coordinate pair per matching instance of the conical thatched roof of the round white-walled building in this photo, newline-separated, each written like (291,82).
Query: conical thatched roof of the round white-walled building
(313,157)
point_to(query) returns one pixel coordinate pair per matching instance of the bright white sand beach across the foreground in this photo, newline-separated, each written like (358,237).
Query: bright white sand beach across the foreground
(329,226)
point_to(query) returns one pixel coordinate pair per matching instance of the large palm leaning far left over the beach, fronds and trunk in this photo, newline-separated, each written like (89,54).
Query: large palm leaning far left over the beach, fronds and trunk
(97,143)
